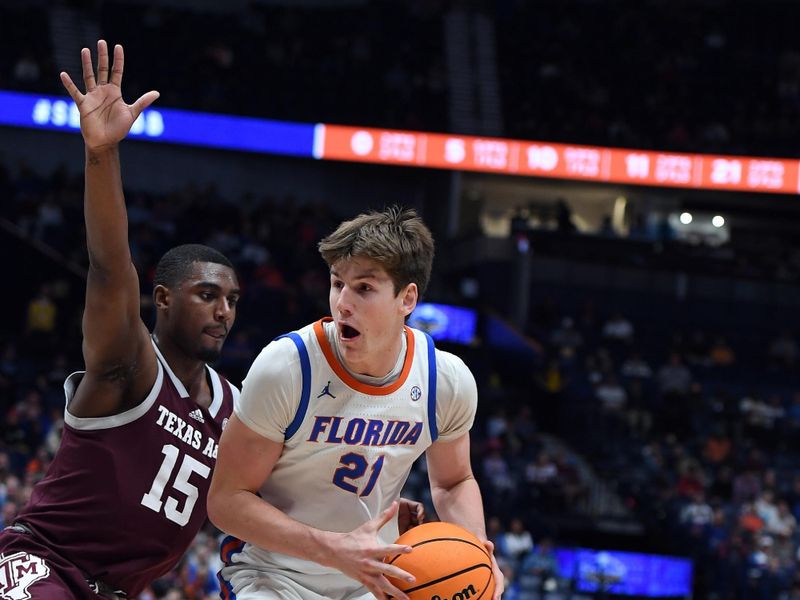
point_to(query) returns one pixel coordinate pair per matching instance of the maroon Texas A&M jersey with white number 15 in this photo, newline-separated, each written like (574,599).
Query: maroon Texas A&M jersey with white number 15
(126,494)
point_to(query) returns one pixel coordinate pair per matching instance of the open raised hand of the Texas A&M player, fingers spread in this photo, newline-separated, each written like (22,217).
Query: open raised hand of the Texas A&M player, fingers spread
(105,118)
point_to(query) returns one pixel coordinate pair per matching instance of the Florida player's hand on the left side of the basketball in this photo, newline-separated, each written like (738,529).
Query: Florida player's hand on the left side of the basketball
(359,554)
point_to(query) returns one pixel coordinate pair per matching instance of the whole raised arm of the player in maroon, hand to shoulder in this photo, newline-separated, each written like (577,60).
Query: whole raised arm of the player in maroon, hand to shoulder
(120,363)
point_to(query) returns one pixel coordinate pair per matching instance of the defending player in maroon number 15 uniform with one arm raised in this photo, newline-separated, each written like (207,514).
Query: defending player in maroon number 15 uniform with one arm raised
(126,492)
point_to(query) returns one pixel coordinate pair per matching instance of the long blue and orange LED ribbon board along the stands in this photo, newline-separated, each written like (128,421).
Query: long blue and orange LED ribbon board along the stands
(432,150)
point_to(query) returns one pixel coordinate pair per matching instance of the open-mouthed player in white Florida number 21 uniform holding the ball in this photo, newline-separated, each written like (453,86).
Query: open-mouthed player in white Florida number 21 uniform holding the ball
(330,421)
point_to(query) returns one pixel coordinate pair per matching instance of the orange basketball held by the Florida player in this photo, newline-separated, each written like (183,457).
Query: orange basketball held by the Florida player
(449,562)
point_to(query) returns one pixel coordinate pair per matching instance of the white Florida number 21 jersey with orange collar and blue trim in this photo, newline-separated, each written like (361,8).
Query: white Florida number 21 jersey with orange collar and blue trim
(350,447)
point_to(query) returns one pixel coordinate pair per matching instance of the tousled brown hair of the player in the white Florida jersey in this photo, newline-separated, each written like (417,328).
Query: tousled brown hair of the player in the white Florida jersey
(396,238)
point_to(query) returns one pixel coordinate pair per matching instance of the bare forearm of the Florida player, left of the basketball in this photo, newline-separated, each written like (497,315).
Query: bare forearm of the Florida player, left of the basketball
(249,518)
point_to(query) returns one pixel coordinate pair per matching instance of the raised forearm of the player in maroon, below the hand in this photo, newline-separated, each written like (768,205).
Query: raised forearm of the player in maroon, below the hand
(105,212)
